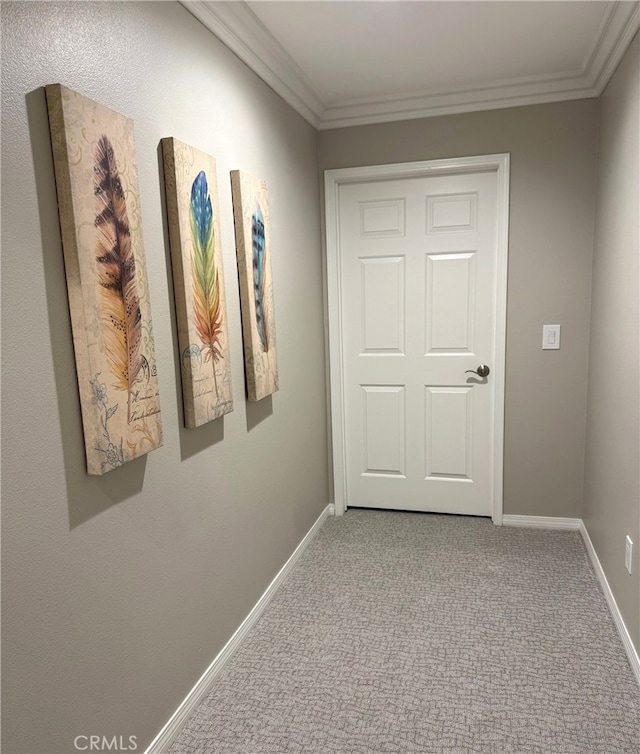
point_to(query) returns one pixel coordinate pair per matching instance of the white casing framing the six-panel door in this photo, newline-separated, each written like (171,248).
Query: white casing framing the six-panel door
(333,179)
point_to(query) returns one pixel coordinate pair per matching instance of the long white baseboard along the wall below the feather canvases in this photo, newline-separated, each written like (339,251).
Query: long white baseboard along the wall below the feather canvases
(177,721)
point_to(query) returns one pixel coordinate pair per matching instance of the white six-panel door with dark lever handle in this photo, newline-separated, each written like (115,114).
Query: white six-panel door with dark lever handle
(419,284)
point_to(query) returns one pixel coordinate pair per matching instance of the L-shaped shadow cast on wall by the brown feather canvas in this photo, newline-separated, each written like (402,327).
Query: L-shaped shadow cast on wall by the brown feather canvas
(87,496)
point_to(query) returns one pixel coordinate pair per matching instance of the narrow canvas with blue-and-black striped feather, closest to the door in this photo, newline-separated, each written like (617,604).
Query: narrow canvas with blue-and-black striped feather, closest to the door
(253,247)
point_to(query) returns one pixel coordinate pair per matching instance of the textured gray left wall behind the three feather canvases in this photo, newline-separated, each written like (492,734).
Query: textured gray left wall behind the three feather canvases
(119,591)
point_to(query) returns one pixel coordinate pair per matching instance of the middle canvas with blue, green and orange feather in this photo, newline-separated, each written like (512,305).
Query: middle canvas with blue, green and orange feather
(198,281)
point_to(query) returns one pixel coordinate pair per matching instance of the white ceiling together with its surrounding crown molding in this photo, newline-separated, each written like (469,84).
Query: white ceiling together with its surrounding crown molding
(341,63)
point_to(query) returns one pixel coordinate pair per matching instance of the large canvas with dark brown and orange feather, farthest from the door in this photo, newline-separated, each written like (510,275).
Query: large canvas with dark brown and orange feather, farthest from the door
(99,207)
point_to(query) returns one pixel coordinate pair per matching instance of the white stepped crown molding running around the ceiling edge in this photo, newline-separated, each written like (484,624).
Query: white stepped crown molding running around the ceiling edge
(239,29)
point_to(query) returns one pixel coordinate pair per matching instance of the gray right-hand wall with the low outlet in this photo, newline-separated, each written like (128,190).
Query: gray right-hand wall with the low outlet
(612,484)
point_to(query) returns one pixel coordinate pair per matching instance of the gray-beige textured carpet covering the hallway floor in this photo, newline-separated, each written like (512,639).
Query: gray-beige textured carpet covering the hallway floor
(403,632)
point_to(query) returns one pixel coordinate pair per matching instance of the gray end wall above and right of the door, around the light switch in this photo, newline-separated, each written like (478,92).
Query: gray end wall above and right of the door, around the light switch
(553,173)
